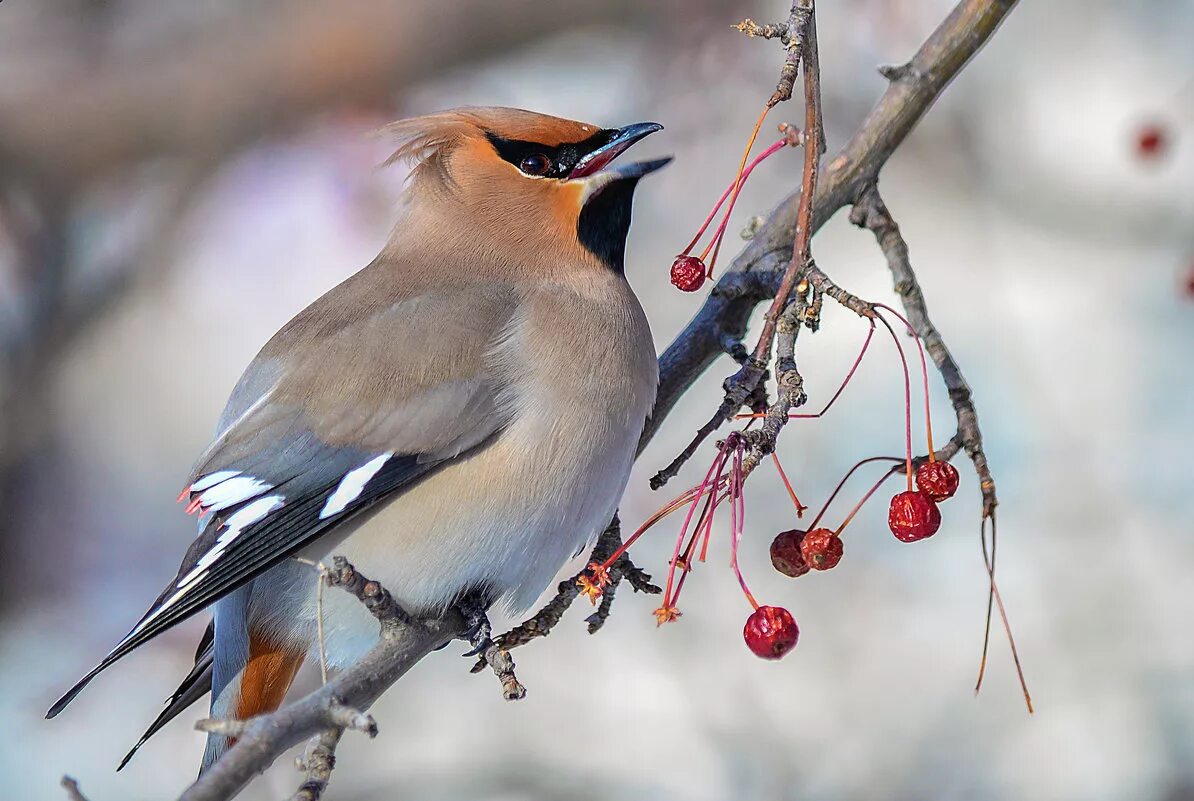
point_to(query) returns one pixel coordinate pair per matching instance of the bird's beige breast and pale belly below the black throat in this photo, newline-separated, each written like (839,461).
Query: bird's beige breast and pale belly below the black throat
(581,381)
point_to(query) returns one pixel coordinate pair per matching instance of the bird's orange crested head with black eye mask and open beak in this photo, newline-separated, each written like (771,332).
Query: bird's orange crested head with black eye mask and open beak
(537,182)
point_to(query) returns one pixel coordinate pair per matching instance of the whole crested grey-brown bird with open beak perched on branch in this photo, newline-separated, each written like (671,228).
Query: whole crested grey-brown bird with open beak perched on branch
(458,420)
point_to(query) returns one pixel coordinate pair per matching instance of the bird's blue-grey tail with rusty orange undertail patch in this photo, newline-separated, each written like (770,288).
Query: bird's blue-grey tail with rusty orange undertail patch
(253,669)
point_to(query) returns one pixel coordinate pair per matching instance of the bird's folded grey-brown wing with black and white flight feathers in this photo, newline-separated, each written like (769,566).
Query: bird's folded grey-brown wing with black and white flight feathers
(347,405)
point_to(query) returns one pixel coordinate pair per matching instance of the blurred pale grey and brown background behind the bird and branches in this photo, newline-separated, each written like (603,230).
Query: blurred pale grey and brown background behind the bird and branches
(177,180)
